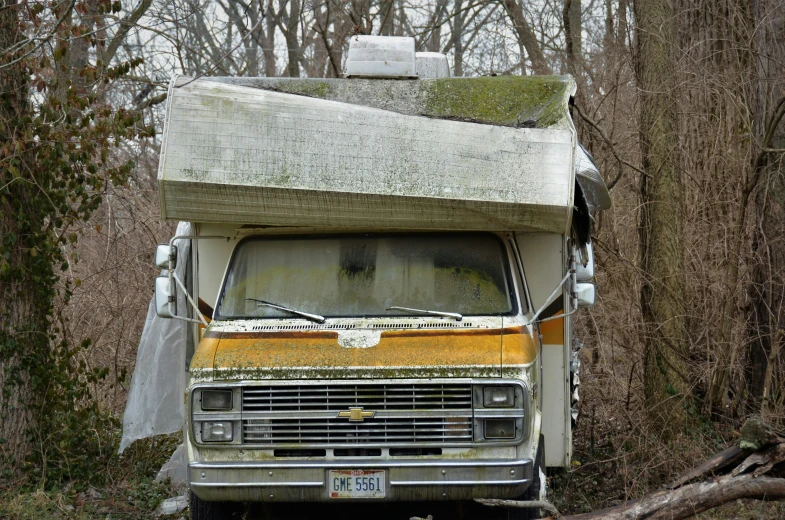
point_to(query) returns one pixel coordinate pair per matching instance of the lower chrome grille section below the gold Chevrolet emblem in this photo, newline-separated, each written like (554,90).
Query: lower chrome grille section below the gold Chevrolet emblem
(402,430)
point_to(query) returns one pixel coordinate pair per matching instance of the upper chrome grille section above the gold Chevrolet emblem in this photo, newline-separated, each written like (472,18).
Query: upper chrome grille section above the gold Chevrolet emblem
(332,397)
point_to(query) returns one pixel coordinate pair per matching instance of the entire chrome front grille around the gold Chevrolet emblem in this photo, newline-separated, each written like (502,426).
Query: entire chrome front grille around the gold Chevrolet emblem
(406,413)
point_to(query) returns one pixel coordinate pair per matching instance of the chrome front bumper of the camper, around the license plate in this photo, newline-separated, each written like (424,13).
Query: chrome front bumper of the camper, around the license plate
(306,481)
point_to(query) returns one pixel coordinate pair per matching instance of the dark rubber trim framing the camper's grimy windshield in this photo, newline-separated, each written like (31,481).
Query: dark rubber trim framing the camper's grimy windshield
(504,249)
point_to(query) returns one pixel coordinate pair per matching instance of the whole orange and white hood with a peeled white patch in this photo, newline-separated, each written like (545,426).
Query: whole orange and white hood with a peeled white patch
(364,353)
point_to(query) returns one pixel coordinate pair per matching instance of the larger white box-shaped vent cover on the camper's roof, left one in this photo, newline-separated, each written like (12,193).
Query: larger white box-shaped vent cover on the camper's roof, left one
(381,57)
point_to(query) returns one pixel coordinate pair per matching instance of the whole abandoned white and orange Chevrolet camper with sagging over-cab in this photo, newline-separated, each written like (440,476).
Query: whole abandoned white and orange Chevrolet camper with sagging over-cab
(381,278)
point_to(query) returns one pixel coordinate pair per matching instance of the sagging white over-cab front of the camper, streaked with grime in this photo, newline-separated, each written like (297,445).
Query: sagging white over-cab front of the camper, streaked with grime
(255,154)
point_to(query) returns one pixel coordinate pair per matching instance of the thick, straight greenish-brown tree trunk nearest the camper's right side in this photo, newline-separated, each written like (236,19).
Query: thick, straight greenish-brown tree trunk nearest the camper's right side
(661,229)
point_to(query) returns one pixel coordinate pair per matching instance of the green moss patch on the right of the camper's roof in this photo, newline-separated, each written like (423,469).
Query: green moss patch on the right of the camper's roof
(501,100)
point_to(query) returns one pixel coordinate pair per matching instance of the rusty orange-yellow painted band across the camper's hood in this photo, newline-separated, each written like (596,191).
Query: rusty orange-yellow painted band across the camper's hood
(403,348)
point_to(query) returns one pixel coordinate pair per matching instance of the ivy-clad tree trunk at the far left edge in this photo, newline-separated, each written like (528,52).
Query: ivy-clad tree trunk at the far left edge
(23,314)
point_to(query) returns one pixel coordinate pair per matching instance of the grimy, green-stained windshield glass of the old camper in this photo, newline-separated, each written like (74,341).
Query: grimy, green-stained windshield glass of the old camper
(346,276)
